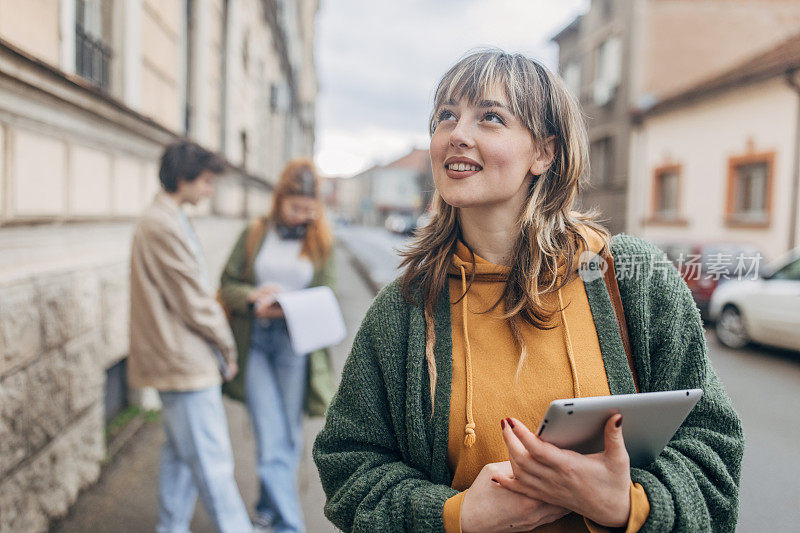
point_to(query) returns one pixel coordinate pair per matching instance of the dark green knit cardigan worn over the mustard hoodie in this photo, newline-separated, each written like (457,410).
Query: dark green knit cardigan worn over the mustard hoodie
(382,459)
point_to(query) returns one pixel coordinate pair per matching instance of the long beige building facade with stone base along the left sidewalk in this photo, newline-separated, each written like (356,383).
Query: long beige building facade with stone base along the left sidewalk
(90,93)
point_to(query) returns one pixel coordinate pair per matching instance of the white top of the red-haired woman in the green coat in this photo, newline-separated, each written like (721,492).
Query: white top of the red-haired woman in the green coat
(279,262)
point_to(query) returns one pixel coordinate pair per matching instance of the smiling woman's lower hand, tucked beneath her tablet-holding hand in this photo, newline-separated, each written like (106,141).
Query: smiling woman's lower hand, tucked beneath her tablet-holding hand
(489,507)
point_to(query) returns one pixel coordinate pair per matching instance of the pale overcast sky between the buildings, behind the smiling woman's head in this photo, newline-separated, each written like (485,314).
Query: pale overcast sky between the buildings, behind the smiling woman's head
(378,64)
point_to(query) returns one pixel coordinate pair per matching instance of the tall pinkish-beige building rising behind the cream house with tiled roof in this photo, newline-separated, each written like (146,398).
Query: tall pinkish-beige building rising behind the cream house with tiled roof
(626,54)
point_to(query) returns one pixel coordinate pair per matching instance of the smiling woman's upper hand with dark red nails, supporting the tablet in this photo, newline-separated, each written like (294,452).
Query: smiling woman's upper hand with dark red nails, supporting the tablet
(596,486)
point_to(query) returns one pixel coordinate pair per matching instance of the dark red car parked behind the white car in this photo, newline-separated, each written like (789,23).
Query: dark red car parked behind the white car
(705,266)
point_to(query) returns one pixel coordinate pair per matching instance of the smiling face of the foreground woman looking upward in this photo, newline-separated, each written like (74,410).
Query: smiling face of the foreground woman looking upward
(481,154)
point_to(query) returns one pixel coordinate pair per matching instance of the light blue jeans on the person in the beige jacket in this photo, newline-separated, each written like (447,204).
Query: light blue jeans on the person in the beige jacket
(197,457)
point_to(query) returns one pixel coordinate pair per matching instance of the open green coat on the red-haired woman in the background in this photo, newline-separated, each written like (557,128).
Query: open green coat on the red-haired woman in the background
(234,289)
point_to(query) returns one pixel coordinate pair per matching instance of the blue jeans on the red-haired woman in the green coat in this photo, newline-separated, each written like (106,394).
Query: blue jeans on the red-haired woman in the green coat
(275,384)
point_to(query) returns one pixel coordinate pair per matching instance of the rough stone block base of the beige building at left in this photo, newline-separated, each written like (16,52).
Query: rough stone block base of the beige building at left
(55,342)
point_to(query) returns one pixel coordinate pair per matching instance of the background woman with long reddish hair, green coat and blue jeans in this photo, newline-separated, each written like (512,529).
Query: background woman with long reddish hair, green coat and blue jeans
(287,250)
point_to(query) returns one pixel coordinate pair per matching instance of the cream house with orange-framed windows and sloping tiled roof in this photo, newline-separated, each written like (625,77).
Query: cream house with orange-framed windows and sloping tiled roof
(720,161)
